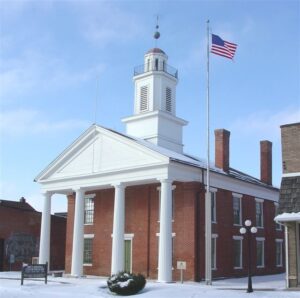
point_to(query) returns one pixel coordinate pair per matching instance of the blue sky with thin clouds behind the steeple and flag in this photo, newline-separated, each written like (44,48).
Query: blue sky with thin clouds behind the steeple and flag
(58,57)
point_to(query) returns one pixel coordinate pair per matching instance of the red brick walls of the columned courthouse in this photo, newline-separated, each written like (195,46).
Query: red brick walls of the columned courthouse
(142,220)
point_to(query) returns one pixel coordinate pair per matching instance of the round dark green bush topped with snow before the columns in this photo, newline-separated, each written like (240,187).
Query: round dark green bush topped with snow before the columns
(125,283)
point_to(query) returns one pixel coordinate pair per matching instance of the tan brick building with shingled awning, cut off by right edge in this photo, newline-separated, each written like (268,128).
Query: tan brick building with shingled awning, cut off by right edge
(289,203)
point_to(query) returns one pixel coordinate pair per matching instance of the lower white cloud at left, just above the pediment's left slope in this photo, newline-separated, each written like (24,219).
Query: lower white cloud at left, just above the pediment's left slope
(23,122)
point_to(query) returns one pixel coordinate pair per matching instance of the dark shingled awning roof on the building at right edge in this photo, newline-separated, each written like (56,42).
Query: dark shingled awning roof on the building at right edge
(289,200)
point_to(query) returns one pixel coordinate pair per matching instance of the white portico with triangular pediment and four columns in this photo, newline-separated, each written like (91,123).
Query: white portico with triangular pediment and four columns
(156,169)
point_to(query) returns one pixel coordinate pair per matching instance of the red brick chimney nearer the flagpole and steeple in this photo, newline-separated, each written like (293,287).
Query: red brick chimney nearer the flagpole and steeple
(222,149)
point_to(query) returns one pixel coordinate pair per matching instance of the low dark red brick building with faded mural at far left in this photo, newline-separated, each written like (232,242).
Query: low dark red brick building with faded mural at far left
(20,227)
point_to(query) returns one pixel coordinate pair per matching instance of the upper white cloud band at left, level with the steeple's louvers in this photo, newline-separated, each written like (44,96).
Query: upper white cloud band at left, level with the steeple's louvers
(35,70)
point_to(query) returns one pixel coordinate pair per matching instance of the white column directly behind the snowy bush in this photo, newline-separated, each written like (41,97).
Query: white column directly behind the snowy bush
(117,258)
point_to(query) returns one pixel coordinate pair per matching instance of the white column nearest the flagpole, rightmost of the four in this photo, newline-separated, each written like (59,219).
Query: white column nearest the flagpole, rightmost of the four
(165,233)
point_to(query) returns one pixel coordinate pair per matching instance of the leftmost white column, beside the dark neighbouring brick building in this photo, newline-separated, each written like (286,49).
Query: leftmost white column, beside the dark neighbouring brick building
(44,253)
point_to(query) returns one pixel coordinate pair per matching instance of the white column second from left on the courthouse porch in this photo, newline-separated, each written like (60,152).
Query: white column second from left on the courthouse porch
(78,234)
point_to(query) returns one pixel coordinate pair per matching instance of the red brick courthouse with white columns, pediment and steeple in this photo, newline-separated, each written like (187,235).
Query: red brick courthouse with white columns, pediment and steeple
(136,201)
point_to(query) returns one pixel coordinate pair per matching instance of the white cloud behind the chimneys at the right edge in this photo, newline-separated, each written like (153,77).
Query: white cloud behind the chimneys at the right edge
(266,124)
